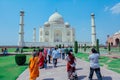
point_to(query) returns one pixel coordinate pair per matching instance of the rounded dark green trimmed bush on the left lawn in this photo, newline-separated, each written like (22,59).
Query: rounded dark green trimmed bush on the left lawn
(20,59)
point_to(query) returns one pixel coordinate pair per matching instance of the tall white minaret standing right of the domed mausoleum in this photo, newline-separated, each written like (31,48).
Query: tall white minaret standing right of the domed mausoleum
(93,35)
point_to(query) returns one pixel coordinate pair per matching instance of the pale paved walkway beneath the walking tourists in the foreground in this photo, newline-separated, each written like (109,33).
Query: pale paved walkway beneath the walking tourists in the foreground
(60,73)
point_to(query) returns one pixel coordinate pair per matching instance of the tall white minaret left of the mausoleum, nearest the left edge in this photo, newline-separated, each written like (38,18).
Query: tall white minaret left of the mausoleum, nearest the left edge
(21,29)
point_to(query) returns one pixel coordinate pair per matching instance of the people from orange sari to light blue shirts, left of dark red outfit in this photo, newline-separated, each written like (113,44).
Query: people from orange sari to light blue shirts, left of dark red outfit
(42,57)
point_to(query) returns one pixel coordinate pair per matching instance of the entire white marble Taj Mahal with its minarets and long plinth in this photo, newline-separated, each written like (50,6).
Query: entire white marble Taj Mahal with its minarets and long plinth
(55,31)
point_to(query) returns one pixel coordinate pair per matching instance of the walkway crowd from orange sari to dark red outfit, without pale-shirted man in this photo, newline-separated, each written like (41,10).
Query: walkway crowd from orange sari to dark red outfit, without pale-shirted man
(46,56)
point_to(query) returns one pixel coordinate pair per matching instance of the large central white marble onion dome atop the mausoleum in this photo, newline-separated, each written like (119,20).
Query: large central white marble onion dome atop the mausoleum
(56,18)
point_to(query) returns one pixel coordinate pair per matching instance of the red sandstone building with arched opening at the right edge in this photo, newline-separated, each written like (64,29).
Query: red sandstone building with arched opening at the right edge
(114,40)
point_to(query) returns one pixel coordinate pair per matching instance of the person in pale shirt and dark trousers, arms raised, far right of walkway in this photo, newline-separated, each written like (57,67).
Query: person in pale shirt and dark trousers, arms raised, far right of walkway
(94,64)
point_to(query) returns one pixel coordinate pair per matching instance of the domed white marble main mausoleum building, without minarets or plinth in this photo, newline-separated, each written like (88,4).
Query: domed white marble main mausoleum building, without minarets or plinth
(55,30)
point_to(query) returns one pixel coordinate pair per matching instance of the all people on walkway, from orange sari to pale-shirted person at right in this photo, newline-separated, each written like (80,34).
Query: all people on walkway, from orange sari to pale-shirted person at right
(43,56)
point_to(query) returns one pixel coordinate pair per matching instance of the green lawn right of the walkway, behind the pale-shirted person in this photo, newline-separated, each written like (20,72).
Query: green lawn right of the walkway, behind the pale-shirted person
(110,63)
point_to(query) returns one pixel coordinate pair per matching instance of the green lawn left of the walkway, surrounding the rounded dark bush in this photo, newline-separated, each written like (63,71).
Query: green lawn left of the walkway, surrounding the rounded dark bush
(8,68)
